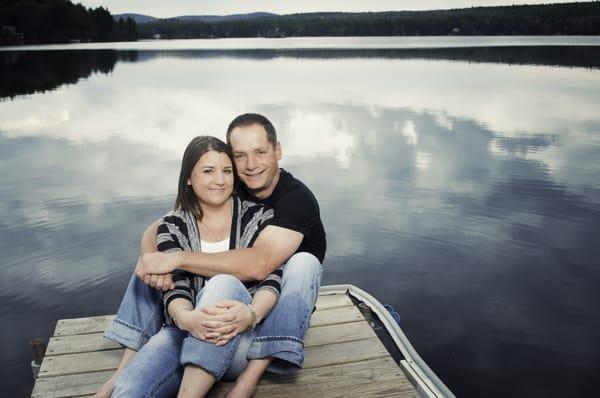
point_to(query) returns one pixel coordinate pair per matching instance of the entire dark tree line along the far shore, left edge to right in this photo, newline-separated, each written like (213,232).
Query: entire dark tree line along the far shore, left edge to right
(56,21)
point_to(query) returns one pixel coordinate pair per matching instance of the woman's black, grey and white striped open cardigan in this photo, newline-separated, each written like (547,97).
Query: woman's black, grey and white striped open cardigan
(178,231)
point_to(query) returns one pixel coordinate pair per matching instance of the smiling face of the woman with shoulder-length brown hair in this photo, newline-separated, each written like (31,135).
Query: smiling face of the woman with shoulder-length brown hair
(212,178)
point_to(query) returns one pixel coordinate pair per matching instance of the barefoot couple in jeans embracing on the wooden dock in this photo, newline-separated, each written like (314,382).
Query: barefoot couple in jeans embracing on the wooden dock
(231,289)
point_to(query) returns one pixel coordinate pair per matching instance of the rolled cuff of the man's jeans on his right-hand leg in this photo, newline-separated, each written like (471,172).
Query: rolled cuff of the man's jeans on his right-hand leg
(287,352)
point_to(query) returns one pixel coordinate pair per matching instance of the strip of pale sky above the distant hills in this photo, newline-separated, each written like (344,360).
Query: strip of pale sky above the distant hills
(165,9)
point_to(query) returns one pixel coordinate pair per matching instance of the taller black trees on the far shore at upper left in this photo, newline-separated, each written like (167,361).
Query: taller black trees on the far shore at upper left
(60,21)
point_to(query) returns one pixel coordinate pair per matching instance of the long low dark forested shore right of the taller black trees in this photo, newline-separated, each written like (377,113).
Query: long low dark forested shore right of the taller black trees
(550,19)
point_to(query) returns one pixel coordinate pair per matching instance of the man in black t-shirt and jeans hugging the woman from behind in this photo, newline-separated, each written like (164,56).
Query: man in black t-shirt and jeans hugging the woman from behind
(296,238)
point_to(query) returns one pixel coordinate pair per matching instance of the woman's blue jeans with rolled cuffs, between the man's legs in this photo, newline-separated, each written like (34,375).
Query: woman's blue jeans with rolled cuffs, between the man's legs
(157,368)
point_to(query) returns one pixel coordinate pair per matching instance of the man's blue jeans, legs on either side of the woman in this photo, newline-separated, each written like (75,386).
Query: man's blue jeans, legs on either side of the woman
(280,335)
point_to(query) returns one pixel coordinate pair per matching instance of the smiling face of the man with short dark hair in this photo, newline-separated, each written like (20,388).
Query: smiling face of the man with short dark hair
(257,161)
